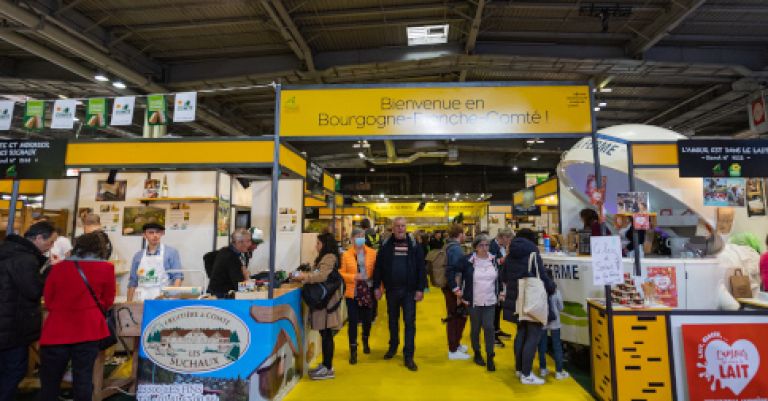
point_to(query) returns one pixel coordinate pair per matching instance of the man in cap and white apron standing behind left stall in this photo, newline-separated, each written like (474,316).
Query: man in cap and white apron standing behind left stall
(155,267)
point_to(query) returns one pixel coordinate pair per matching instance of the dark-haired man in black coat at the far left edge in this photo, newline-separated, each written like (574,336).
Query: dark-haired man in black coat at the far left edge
(21,287)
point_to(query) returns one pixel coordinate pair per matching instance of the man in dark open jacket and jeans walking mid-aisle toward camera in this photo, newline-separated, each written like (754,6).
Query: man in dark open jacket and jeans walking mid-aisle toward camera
(400,268)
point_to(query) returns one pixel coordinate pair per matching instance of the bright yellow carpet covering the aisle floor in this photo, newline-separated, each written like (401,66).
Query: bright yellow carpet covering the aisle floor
(374,378)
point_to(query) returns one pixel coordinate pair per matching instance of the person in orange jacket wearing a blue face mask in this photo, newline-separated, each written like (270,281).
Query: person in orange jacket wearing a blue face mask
(357,265)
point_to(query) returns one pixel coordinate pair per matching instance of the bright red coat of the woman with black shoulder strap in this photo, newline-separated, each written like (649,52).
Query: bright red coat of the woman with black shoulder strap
(73,315)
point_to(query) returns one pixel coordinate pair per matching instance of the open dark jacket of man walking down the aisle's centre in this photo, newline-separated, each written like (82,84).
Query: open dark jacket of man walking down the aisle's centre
(417,273)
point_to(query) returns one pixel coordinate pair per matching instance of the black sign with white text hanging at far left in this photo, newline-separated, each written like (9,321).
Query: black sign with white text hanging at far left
(32,159)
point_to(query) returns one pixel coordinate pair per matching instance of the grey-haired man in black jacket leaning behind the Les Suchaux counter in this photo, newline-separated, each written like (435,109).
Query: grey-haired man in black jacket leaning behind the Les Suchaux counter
(231,264)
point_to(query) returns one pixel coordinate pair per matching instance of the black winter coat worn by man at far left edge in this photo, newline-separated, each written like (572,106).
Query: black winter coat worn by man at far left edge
(21,287)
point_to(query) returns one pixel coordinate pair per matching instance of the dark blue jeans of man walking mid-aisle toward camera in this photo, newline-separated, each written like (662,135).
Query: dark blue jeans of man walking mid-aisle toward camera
(401,299)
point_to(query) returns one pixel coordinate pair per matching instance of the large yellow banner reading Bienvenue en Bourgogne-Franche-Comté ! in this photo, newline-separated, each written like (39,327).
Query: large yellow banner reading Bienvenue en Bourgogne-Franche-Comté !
(435,110)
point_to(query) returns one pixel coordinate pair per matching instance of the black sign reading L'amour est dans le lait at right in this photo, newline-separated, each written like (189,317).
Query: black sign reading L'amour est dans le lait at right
(723,158)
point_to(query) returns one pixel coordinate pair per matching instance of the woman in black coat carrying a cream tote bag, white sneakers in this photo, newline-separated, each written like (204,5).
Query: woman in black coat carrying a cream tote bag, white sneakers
(528,332)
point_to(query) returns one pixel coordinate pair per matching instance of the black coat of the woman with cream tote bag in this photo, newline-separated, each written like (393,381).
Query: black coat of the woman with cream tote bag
(516,267)
